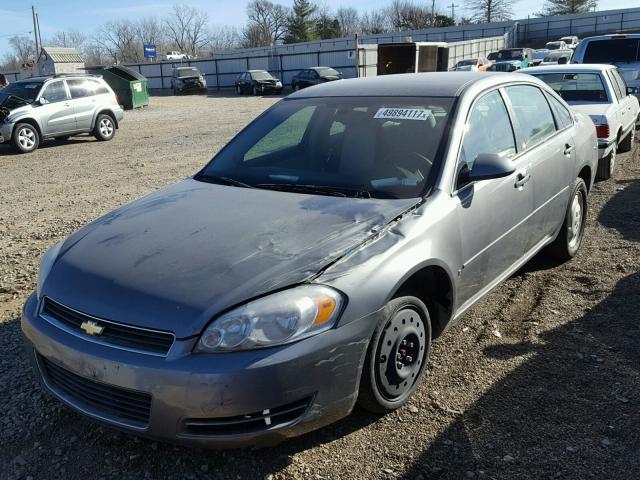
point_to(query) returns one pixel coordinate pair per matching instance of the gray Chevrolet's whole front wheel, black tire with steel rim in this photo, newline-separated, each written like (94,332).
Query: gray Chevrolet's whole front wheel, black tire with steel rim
(393,369)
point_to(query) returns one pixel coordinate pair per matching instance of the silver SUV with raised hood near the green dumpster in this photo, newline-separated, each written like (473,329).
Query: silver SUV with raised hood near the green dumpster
(57,107)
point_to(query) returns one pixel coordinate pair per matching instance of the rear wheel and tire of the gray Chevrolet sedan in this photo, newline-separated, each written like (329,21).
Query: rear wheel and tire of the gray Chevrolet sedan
(567,244)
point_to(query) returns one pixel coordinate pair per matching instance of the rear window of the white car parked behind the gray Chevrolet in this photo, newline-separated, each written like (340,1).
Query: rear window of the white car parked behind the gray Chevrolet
(576,87)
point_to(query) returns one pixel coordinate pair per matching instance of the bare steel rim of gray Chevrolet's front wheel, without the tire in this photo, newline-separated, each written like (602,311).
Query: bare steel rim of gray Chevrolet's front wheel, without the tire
(400,354)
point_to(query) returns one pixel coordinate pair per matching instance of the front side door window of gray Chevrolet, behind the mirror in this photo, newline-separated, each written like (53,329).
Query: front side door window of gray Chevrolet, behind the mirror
(488,130)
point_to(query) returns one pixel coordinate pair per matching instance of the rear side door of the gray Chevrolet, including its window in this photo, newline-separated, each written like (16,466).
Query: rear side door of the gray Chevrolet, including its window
(547,148)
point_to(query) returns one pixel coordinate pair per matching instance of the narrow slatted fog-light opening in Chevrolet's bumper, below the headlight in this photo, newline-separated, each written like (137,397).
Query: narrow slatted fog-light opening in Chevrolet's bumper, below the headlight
(254,422)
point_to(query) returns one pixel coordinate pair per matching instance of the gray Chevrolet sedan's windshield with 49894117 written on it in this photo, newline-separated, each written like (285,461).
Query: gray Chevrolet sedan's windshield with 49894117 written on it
(382,147)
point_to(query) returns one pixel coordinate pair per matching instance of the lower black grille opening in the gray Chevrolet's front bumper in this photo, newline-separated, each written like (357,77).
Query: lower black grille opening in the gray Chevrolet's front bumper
(100,399)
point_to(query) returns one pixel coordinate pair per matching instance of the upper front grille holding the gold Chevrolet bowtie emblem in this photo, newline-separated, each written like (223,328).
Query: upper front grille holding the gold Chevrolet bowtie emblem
(141,339)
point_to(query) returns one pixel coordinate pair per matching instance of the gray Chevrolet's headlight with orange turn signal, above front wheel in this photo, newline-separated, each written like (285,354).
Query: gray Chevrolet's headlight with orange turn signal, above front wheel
(276,319)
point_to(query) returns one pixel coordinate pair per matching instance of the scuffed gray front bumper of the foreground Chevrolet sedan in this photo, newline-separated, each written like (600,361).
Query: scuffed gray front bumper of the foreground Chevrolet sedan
(323,370)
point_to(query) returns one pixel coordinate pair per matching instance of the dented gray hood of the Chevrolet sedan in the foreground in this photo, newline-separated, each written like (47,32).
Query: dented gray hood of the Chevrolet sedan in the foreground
(175,258)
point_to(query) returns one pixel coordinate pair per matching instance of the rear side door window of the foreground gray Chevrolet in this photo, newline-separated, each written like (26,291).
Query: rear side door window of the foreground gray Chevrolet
(534,120)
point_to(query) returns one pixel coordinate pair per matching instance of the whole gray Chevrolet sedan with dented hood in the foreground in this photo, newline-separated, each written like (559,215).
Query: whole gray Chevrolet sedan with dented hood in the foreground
(312,262)
